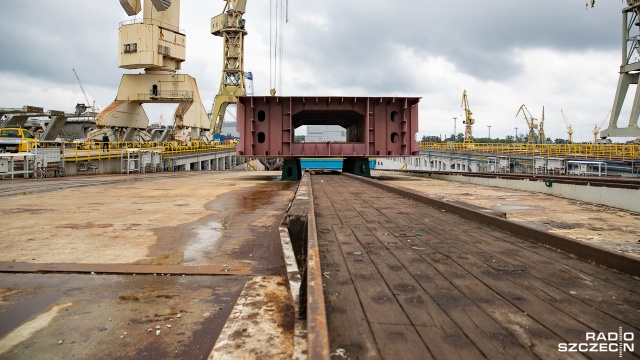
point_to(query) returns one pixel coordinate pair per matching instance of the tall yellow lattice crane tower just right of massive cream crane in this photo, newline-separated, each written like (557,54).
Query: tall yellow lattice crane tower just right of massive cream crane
(231,27)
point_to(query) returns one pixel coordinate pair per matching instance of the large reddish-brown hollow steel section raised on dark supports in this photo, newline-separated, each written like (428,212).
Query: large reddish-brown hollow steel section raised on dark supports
(375,127)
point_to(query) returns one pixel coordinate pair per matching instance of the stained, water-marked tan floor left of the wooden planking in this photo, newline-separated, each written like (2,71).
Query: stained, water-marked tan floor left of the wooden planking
(129,253)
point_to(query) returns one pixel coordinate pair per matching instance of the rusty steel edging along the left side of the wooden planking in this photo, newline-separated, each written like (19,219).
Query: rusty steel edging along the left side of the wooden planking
(317,332)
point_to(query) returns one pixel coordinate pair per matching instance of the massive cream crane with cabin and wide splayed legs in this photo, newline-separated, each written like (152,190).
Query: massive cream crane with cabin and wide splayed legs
(156,44)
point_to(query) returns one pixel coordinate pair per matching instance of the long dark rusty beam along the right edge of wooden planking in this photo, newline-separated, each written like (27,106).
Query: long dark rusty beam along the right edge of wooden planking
(621,262)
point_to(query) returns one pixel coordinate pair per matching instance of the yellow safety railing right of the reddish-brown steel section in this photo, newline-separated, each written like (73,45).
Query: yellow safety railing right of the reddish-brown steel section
(622,152)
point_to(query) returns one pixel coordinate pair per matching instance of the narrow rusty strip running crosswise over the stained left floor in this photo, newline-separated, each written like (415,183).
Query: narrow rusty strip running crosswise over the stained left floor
(15,267)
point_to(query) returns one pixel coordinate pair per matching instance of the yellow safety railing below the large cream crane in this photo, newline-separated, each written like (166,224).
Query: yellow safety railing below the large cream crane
(87,151)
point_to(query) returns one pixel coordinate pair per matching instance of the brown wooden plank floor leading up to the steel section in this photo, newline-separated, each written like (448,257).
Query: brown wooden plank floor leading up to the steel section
(406,281)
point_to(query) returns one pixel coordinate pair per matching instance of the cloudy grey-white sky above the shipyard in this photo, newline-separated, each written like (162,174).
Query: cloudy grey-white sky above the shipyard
(505,53)
